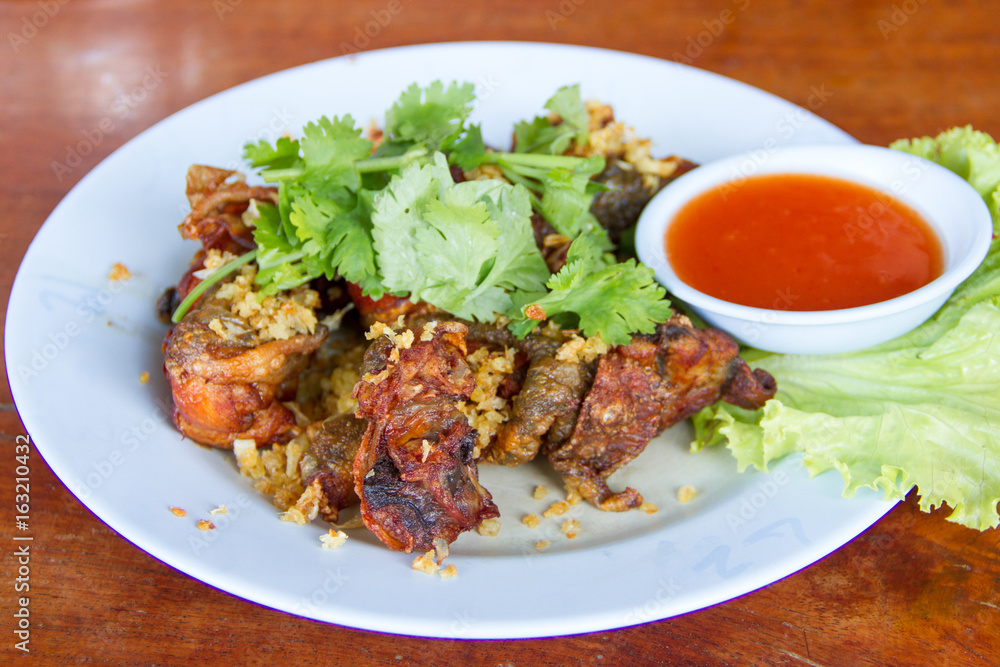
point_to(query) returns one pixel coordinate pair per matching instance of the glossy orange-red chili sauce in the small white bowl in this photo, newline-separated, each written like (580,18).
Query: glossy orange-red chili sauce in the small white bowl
(802,242)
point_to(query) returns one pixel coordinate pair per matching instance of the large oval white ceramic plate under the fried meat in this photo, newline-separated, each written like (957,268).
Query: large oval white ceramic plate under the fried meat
(77,344)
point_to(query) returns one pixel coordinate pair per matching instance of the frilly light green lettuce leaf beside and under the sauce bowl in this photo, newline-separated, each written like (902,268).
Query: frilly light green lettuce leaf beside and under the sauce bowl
(921,411)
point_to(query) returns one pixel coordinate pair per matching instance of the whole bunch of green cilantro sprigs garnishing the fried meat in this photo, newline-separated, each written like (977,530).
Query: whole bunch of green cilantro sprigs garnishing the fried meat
(393,220)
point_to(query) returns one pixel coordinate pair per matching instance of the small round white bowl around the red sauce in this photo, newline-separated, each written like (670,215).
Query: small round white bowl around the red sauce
(951,206)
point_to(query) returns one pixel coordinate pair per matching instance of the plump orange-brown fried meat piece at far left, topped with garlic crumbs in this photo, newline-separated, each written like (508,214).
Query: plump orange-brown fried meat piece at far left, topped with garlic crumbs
(226,390)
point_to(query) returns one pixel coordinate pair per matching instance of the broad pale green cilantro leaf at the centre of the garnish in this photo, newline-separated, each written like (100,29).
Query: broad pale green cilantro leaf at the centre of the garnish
(442,242)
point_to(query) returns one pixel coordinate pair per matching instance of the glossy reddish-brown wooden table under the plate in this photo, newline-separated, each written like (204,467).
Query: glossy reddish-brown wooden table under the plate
(913,589)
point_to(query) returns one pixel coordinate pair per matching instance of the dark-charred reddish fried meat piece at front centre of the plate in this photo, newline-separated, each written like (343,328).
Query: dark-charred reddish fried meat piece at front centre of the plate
(415,472)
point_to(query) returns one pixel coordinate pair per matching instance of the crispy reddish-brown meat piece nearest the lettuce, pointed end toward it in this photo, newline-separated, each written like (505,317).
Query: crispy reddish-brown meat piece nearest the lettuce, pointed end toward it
(644,387)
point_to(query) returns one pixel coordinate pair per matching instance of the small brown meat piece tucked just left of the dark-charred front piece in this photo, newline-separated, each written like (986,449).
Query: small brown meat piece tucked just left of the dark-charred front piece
(328,466)
